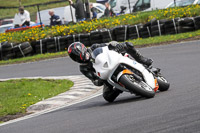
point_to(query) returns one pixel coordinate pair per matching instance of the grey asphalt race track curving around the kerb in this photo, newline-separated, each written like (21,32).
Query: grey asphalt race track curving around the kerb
(174,111)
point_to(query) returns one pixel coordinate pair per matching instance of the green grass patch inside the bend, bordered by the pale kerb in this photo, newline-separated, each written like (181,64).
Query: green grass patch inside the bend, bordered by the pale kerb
(17,95)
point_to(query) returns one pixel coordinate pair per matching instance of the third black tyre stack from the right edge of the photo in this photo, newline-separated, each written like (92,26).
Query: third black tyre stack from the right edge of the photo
(171,26)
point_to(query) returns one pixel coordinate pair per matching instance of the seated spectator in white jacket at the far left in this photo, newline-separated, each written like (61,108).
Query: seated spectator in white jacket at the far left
(22,18)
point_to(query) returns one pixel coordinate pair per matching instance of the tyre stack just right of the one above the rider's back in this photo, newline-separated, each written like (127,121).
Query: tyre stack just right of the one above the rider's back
(133,32)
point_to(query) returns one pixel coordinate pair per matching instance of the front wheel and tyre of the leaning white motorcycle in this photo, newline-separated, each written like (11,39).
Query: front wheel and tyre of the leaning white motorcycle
(139,88)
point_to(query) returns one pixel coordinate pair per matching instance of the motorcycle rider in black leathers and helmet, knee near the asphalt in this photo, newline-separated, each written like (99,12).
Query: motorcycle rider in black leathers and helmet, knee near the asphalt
(79,53)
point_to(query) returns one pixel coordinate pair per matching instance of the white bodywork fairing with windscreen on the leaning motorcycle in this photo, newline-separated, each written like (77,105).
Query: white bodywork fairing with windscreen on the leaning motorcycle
(107,61)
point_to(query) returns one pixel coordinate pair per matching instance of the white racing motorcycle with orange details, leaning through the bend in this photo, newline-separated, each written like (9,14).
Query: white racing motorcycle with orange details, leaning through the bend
(126,74)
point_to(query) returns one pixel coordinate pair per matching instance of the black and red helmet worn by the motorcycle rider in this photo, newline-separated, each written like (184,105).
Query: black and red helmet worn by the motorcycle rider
(78,52)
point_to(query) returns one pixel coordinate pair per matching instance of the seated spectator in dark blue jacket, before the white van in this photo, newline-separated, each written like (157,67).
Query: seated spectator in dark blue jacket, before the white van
(55,19)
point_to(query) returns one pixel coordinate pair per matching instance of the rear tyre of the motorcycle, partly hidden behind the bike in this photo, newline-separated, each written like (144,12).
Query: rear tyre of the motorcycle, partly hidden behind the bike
(163,83)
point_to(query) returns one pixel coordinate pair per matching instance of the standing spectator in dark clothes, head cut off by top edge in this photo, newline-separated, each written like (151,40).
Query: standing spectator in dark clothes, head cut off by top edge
(79,10)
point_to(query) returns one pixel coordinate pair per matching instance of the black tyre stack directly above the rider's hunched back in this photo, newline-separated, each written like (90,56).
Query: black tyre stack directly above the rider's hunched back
(121,33)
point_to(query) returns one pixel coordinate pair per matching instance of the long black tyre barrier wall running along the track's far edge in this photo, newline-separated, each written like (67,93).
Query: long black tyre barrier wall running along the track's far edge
(120,33)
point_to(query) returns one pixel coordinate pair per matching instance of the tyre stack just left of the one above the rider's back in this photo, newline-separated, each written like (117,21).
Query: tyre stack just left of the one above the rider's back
(106,35)
